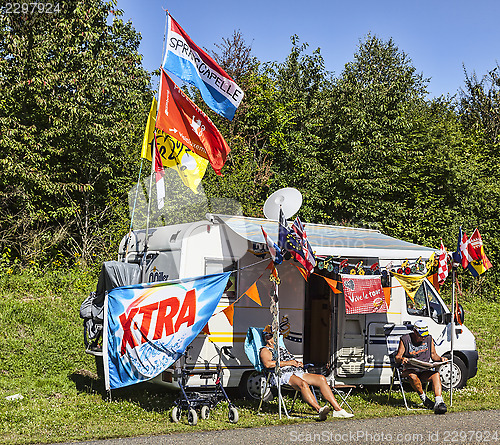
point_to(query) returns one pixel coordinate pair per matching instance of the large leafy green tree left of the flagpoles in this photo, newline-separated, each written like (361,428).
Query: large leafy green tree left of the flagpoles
(74,101)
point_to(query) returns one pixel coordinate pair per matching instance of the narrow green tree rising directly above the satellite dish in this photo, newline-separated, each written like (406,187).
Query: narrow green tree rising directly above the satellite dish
(303,85)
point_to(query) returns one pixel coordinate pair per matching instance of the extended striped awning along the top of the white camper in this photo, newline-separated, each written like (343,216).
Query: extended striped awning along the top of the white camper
(331,240)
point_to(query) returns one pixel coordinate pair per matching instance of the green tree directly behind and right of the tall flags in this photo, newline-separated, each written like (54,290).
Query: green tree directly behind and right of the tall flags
(257,125)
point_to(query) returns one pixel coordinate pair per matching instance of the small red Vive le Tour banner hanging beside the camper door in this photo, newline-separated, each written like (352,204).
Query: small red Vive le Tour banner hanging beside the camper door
(363,294)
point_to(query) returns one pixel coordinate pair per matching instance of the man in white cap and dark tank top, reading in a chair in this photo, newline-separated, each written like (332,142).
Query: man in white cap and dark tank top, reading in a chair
(419,345)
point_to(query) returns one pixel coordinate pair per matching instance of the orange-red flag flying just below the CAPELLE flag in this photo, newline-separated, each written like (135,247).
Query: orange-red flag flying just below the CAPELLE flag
(179,117)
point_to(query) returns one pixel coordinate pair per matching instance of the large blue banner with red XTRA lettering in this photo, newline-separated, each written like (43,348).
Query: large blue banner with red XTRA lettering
(147,327)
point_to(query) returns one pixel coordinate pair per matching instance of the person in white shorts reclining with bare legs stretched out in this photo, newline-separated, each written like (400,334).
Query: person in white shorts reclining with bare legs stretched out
(293,374)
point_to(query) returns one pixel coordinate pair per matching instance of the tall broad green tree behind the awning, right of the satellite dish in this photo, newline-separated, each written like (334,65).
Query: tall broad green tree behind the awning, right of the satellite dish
(366,147)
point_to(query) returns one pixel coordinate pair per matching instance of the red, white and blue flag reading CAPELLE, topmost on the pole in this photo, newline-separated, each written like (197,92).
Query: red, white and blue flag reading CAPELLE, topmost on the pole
(186,60)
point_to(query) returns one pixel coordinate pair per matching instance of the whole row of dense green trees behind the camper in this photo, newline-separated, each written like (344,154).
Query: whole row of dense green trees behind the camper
(366,148)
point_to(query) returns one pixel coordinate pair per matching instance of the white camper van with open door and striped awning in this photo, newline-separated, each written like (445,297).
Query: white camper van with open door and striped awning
(313,318)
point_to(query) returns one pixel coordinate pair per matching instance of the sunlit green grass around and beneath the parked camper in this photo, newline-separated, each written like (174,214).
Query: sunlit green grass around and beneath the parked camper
(42,358)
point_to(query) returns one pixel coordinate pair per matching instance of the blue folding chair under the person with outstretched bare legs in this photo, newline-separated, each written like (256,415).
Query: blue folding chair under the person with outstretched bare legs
(253,344)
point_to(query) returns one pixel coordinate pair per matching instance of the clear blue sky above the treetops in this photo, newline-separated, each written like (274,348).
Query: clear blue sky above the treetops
(438,35)
